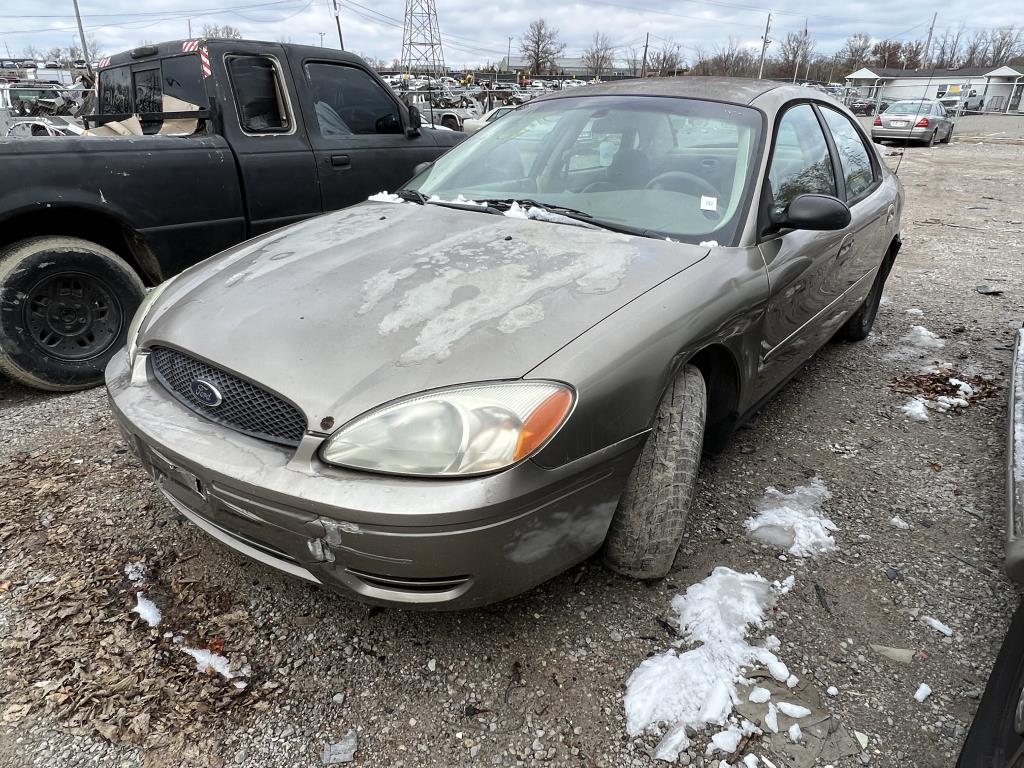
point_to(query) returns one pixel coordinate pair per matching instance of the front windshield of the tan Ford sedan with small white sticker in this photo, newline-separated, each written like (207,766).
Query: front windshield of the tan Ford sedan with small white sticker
(667,167)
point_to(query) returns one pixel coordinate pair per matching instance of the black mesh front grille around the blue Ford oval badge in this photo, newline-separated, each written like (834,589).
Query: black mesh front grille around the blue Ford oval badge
(244,407)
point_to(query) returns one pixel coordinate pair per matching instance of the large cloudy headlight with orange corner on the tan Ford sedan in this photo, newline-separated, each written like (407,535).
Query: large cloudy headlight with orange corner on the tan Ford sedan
(464,431)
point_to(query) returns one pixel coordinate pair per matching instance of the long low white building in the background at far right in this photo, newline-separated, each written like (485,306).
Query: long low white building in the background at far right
(999,89)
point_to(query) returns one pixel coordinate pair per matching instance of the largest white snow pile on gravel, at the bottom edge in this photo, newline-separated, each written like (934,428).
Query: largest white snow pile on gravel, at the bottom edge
(692,689)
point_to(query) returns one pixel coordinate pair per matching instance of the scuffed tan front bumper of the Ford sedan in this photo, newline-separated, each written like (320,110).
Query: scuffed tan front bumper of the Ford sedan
(421,543)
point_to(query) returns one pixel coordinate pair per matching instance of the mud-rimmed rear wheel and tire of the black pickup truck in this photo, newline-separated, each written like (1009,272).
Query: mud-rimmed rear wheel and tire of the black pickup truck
(66,305)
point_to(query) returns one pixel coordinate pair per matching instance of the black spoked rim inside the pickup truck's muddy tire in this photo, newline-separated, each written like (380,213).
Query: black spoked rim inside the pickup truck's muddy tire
(73,317)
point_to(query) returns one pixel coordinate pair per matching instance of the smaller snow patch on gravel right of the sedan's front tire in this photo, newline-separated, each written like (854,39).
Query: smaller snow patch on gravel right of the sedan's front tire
(793,522)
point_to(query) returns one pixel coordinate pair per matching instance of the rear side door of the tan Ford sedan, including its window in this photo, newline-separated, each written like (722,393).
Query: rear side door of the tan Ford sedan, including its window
(871,212)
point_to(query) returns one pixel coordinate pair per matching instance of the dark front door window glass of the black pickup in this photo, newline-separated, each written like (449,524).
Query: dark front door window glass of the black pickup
(348,101)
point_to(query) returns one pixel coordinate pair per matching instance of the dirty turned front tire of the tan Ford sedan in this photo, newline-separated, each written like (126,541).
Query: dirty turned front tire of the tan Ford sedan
(649,525)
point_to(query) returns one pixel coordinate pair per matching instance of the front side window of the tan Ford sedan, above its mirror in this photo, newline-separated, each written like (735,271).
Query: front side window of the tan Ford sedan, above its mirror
(801,162)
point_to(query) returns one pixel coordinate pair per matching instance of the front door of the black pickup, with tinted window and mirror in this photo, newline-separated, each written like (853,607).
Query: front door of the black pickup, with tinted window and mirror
(357,133)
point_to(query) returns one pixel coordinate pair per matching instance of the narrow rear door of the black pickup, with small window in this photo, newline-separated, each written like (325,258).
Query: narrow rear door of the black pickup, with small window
(277,166)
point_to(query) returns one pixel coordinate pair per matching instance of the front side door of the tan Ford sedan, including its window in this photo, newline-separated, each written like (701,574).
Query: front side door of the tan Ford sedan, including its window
(801,264)
